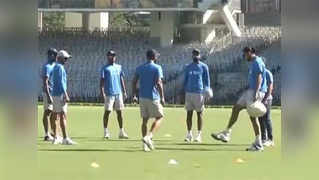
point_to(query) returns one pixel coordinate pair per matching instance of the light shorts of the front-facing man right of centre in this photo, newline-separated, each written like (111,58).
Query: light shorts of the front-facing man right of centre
(194,101)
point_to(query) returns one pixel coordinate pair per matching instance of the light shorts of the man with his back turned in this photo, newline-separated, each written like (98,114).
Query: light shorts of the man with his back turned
(151,108)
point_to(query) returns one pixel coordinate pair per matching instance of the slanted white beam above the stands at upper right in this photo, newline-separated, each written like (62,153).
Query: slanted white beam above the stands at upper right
(229,20)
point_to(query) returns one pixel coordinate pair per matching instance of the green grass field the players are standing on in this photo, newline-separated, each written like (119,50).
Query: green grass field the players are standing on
(125,160)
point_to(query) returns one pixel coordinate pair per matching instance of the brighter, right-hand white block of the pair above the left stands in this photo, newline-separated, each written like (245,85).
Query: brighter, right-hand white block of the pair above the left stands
(99,21)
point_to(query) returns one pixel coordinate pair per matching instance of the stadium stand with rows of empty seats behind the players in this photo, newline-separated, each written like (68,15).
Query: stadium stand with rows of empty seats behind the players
(223,57)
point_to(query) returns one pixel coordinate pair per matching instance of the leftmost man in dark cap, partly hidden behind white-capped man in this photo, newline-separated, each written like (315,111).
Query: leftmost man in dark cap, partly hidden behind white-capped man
(46,93)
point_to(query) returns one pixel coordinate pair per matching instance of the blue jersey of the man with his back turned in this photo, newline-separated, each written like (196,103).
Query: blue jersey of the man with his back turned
(149,73)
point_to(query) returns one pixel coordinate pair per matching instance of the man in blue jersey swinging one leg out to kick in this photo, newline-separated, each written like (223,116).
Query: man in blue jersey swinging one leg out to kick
(256,92)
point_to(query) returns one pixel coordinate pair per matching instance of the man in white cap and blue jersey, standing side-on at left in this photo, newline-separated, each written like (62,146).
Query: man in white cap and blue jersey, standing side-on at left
(60,96)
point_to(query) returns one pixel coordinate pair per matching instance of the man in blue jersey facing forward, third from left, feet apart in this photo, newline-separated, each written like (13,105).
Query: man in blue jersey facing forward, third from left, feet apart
(112,88)
